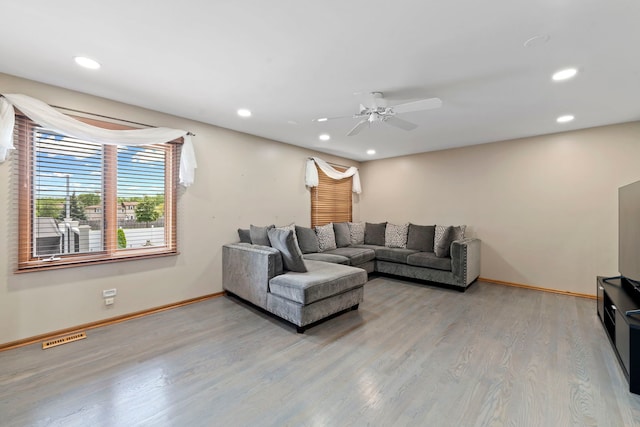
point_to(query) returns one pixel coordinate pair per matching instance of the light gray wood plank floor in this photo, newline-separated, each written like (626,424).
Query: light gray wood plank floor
(412,355)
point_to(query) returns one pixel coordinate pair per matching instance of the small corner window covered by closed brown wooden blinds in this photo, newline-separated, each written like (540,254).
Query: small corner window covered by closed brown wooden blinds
(331,200)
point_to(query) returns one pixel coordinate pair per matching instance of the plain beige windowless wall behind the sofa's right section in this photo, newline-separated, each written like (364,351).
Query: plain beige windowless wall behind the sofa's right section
(545,208)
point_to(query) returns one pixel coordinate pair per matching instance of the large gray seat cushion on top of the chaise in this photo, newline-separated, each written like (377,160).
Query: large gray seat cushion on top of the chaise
(322,280)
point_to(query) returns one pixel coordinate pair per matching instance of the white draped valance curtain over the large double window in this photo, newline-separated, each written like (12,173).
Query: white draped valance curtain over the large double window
(50,118)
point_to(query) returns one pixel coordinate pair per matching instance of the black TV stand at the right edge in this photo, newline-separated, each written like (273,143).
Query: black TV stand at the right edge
(617,309)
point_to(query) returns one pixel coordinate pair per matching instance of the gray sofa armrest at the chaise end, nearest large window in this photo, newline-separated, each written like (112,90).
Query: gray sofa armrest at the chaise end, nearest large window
(247,269)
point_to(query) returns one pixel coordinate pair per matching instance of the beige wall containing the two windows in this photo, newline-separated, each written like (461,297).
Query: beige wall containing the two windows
(240,180)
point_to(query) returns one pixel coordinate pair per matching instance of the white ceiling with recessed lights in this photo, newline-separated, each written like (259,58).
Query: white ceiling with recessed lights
(290,61)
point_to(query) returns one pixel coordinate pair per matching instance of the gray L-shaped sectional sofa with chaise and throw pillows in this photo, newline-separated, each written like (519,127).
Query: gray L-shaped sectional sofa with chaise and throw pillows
(305,275)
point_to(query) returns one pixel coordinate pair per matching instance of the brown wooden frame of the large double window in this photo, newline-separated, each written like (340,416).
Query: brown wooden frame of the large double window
(26,261)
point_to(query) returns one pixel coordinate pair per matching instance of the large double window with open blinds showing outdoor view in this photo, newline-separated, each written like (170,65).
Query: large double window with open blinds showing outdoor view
(72,196)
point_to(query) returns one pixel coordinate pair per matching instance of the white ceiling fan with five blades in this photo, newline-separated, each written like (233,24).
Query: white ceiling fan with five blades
(377,110)
